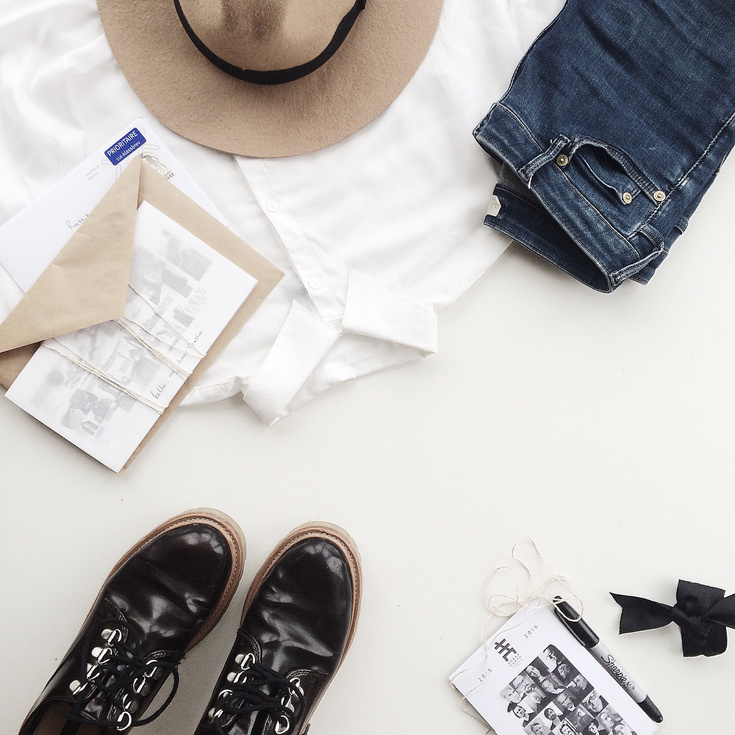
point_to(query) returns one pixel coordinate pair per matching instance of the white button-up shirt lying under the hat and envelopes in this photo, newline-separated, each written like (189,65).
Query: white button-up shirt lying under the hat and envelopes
(374,234)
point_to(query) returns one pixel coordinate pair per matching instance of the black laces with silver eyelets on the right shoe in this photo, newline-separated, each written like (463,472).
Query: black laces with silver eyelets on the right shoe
(256,688)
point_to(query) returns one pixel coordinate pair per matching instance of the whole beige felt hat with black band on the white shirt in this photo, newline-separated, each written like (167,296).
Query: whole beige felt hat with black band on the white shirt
(268,77)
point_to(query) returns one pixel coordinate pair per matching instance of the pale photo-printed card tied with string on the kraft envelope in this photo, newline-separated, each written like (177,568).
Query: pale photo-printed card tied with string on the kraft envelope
(104,387)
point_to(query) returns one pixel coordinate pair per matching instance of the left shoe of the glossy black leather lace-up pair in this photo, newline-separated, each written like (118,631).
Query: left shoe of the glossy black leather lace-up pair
(161,599)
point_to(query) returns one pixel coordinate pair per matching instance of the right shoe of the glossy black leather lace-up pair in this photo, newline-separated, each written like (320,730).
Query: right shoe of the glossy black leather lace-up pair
(297,624)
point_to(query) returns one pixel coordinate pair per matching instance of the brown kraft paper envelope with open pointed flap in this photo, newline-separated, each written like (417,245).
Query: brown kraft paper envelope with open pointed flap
(87,282)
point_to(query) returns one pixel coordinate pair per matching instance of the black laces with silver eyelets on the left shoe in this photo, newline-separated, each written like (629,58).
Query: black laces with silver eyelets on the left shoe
(116,673)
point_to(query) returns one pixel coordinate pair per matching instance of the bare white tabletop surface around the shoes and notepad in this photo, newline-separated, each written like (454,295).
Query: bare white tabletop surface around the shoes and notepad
(600,425)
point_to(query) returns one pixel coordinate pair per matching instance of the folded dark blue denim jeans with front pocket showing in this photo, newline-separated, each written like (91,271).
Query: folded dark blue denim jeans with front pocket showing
(614,126)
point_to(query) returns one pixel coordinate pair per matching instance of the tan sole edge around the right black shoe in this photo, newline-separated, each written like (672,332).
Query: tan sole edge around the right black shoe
(340,538)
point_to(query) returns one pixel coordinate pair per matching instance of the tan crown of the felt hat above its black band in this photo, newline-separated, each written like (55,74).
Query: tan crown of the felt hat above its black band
(265,35)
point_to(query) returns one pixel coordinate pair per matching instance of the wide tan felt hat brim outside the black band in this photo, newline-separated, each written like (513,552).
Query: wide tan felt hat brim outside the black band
(197,100)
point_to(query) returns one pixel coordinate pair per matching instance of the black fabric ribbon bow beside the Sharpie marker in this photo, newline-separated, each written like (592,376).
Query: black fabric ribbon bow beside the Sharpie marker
(703,613)
